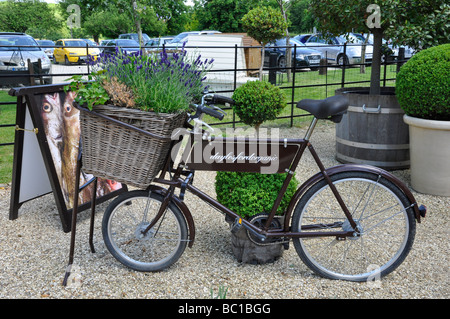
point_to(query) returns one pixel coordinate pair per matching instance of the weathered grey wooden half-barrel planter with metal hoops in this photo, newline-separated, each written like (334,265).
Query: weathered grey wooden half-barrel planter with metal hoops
(373,131)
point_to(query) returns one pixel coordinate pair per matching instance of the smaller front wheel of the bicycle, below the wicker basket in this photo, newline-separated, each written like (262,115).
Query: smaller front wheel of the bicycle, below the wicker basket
(125,221)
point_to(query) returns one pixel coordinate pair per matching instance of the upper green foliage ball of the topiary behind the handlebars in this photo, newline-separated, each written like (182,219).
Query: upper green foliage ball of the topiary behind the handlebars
(258,101)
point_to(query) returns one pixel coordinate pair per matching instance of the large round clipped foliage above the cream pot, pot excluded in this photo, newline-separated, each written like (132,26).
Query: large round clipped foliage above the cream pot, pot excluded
(423,86)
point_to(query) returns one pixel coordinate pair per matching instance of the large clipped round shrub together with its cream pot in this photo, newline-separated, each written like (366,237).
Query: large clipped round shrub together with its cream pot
(423,91)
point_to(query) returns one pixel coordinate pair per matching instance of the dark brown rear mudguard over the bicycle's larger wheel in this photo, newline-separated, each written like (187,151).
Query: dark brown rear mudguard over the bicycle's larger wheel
(418,211)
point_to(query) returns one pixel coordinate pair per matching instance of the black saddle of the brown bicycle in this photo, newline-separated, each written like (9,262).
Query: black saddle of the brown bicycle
(331,108)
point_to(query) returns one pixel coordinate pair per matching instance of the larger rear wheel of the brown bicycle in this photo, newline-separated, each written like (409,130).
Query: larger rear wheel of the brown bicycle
(383,216)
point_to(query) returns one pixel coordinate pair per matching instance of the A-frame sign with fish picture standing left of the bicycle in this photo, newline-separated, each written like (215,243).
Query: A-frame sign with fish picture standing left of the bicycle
(46,151)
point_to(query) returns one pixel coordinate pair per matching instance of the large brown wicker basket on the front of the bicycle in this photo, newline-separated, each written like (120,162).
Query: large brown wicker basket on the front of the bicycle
(122,153)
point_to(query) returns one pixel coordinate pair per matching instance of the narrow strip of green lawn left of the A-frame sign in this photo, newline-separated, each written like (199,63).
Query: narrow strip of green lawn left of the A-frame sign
(7,116)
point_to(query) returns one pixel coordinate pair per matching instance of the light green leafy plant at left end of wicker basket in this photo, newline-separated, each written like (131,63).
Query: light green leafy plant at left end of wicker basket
(88,93)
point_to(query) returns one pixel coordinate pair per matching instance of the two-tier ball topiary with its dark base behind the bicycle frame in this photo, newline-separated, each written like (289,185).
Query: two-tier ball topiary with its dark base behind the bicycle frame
(251,195)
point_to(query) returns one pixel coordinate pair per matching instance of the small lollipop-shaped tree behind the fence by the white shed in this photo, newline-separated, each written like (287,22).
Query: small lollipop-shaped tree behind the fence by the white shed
(264,24)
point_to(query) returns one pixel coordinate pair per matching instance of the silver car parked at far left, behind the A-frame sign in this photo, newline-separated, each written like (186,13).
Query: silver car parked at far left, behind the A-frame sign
(14,57)
